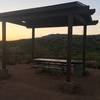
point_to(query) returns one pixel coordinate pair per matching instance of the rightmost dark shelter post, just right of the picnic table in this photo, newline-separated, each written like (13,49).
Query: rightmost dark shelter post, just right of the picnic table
(84,49)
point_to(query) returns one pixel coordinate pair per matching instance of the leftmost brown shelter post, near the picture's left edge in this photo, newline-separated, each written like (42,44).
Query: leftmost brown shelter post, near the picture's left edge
(3,45)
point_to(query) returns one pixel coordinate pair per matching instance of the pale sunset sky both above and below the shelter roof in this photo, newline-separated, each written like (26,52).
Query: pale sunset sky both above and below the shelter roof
(16,32)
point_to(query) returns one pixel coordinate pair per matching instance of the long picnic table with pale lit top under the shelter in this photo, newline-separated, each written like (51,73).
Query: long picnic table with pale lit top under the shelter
(57,64)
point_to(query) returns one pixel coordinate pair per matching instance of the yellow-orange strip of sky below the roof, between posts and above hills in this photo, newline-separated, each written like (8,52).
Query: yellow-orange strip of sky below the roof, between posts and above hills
(16,32)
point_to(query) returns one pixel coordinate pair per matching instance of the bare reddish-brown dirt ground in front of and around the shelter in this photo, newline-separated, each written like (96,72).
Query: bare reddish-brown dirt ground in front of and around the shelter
(25,83)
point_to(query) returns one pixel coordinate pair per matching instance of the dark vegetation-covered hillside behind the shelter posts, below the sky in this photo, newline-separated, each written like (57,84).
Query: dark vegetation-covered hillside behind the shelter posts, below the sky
(52,46)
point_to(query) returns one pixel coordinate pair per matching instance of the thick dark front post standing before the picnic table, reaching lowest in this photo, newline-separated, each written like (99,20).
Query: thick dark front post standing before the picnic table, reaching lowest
(69,43)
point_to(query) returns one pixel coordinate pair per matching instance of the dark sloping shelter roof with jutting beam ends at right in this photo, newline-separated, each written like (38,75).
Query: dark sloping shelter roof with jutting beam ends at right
(51,16)
